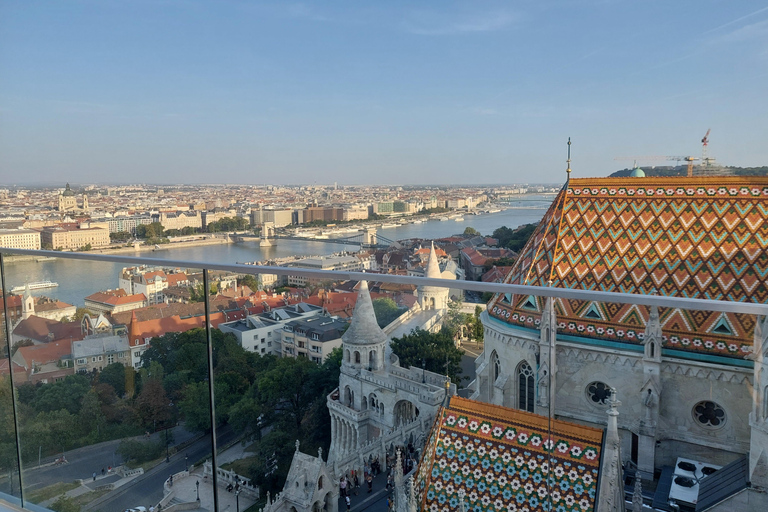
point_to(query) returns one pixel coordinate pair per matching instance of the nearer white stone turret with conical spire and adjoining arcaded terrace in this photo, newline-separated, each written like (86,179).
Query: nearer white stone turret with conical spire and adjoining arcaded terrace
(378,405)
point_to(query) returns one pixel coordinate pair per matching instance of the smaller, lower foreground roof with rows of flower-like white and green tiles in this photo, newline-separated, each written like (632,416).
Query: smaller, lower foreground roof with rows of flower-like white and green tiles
(501,459)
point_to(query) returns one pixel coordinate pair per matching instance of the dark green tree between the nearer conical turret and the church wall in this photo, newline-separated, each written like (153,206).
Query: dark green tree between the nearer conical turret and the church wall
(436,352)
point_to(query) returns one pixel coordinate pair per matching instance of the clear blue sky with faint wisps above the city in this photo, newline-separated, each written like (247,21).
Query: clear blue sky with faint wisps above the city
(374,92)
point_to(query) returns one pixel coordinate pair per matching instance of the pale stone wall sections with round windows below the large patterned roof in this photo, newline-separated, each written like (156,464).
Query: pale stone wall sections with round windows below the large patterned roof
(684,383)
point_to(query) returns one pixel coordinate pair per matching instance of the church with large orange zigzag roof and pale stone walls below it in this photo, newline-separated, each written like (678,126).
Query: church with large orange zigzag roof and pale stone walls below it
(691,382)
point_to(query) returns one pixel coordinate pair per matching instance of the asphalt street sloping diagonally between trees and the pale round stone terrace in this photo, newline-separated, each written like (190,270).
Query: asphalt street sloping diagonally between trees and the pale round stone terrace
(147,489)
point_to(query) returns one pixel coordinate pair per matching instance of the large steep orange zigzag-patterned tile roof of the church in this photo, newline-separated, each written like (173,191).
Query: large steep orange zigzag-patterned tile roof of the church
(700,237)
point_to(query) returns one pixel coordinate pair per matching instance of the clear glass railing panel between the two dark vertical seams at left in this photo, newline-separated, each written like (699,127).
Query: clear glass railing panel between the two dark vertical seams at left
(102,415)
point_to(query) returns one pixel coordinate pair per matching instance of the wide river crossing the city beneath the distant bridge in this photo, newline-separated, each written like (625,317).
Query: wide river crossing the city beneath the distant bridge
(78,279)
